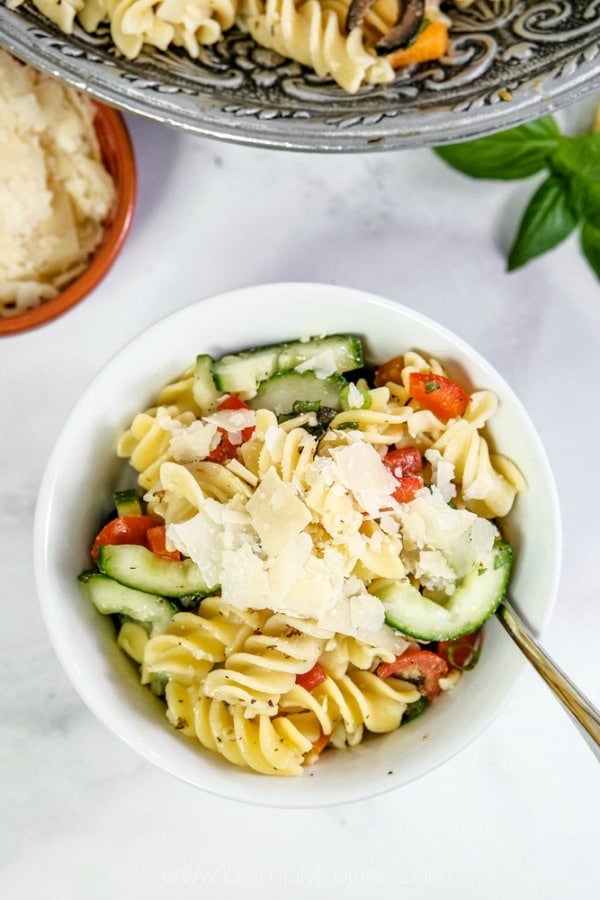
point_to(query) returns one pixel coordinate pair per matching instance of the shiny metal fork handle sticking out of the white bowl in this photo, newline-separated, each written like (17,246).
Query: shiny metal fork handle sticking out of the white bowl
(584,714)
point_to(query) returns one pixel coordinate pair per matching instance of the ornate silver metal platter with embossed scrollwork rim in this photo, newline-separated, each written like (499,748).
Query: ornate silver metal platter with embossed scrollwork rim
(508,62)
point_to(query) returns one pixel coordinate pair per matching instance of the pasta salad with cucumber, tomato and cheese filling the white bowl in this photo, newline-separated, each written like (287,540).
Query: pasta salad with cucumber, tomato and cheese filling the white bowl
(311,549)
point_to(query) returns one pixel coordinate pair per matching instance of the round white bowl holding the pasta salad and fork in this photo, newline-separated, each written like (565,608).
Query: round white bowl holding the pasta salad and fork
(80,479)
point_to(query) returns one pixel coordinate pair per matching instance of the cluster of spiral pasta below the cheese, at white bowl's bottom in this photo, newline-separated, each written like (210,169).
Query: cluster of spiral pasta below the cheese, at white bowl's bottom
(250,709)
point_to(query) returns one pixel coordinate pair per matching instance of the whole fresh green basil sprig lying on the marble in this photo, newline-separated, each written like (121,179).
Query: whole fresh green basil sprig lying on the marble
(566,199)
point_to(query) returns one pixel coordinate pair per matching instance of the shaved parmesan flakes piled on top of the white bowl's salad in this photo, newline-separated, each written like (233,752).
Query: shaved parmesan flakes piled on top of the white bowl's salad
(308,548)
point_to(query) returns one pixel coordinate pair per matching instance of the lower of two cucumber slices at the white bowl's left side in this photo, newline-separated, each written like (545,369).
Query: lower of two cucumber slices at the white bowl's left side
(109,597)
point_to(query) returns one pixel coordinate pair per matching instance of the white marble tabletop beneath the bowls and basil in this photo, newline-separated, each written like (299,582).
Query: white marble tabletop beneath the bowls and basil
(516,814)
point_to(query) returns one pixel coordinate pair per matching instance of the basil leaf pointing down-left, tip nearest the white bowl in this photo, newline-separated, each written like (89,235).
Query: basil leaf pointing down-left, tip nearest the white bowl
(547,220)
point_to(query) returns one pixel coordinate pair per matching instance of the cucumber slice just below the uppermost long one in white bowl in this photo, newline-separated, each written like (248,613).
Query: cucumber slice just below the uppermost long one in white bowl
(281,391)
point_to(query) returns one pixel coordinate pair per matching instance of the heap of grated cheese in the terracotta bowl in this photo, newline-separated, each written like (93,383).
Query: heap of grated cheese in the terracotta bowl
(54,189)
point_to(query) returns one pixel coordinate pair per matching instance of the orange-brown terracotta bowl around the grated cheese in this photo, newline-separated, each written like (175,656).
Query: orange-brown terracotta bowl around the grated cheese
(118,155)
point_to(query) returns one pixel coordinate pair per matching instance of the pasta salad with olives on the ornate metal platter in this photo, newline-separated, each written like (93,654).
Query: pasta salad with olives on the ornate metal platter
(354,42)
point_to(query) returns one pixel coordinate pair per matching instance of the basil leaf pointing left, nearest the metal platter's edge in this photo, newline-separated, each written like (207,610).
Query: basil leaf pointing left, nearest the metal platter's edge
(516,153)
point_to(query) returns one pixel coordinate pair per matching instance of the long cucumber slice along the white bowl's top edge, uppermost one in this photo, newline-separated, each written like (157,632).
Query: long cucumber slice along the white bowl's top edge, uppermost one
(241,373)
